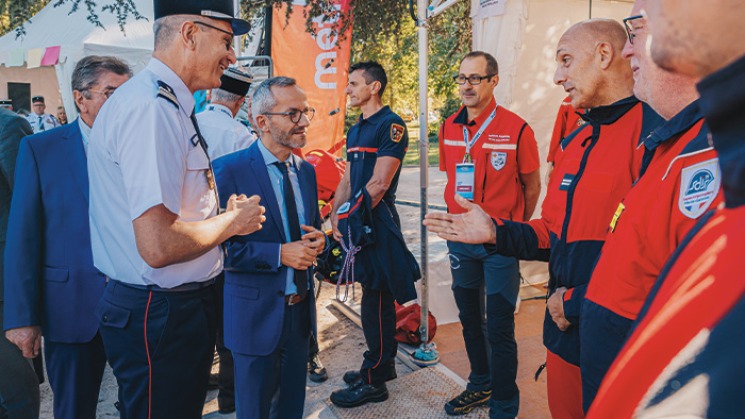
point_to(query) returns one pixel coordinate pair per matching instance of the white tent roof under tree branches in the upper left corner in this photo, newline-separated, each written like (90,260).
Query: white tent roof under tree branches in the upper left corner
(77,37)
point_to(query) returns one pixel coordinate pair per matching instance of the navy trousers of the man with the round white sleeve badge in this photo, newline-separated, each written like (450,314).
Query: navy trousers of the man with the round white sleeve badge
(602,335)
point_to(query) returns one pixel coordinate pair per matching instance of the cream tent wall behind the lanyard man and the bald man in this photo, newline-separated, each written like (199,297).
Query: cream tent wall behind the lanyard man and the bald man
(523,40)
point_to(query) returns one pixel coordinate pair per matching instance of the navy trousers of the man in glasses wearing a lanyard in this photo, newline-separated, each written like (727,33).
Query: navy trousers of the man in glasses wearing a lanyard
(485,288)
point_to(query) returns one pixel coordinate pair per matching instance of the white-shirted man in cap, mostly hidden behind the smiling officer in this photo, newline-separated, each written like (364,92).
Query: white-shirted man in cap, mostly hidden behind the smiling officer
(221,131)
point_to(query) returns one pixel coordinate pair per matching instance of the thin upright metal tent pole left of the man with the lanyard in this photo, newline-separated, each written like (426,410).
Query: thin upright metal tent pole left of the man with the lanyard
(426,354)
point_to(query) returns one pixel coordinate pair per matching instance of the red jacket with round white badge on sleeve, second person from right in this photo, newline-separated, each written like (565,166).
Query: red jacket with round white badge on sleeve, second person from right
(681,182)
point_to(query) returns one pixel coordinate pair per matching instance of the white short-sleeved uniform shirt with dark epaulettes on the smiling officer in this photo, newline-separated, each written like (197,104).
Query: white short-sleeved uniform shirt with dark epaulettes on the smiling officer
(142,154)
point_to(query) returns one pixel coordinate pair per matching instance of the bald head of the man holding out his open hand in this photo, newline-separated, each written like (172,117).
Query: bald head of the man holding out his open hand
(590,65)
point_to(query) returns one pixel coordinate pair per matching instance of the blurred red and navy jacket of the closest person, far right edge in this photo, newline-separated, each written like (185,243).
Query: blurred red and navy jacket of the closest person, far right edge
(684,357)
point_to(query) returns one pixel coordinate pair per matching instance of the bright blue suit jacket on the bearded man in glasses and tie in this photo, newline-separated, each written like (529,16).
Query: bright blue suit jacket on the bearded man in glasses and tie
(254,281)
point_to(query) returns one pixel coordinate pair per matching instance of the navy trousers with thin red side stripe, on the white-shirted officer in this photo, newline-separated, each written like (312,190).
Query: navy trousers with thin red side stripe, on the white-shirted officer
(160,346)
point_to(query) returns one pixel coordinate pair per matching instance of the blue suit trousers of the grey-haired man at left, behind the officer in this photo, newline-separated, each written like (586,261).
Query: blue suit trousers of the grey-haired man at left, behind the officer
(75,371)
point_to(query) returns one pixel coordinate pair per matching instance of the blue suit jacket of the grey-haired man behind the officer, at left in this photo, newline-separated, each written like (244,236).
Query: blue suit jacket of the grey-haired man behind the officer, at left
(50,280)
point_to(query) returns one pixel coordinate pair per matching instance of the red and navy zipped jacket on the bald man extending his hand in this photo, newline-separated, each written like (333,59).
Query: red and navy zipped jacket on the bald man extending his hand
(595,168)
